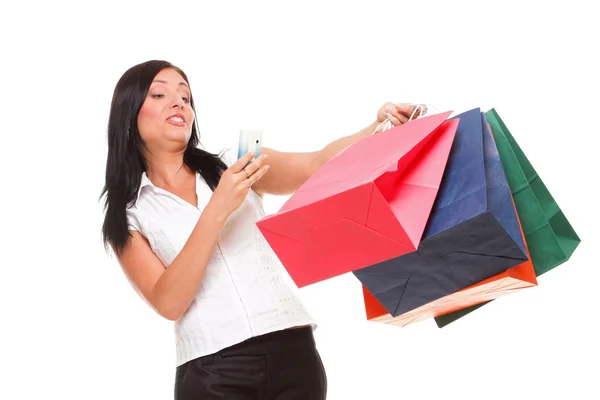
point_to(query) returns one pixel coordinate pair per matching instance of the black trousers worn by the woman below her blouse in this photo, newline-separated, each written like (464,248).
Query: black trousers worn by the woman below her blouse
(283,365)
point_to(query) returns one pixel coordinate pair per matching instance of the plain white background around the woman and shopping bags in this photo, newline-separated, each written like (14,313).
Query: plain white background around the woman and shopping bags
(307,72)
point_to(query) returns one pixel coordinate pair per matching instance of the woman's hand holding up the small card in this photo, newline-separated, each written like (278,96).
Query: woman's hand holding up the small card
(236,182)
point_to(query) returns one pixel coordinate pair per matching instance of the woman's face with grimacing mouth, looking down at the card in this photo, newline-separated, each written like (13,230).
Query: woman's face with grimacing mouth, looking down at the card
(166,117)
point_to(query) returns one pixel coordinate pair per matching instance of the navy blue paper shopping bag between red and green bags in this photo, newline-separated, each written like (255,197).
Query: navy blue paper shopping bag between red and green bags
(472,233)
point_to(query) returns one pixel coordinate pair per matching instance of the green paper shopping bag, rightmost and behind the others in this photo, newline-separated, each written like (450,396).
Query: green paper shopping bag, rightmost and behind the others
(550,237)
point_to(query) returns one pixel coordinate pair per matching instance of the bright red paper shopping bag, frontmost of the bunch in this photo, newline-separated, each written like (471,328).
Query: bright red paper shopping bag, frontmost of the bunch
(367,204)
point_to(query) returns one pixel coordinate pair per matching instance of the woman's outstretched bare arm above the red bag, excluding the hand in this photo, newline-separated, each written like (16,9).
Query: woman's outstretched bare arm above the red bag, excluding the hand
(289,171)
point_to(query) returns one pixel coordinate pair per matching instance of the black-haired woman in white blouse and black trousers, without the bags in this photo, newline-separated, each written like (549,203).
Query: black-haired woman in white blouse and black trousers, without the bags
(182,224)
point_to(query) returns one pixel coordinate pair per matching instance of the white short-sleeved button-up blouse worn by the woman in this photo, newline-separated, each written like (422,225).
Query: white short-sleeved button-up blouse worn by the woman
(245,292)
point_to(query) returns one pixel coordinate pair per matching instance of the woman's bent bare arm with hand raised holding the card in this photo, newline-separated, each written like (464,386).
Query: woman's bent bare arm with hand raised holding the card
(171,291)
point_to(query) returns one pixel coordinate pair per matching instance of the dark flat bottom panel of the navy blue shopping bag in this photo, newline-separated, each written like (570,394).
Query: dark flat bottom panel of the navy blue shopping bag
(444,264)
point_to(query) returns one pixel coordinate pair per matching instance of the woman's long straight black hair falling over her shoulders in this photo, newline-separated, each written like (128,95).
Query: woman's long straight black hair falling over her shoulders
(125,162)
